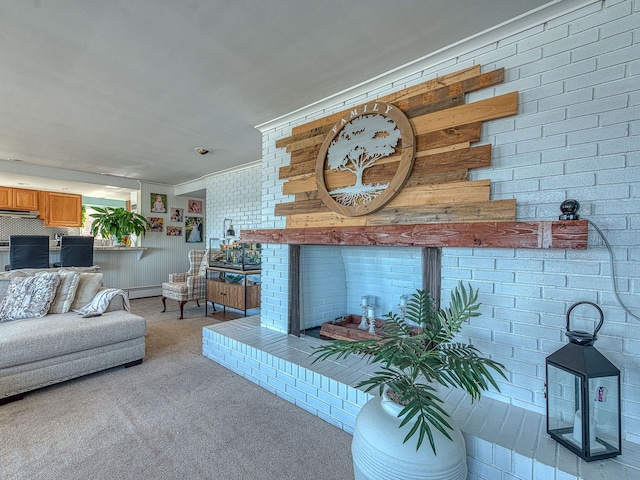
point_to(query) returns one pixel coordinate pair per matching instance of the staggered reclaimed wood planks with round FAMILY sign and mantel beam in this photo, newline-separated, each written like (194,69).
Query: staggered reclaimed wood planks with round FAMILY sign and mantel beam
(430,201)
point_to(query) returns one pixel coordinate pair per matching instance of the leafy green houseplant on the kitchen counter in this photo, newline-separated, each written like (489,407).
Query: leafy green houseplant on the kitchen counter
(117,223)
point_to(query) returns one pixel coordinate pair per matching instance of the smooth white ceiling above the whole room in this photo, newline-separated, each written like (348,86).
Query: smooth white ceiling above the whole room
(130,88)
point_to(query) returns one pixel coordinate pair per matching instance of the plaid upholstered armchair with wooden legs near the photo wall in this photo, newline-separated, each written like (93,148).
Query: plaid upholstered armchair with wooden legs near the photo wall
(190,285)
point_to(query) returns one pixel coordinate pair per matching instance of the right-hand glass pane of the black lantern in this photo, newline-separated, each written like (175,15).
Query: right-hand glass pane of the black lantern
(603,396)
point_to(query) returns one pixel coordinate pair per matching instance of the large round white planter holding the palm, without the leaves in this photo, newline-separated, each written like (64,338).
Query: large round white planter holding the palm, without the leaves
(379,454)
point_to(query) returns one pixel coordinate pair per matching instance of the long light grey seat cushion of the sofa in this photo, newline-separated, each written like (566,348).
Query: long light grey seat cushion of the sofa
(35,339)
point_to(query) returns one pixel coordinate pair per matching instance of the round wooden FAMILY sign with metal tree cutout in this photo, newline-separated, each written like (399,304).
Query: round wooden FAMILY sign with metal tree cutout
(371,135)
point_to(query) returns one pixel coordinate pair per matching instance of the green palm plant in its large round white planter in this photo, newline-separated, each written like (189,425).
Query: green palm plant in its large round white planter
(417,354)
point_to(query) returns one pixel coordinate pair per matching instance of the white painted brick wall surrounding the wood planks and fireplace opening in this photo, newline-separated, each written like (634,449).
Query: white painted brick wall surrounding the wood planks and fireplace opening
(577,135)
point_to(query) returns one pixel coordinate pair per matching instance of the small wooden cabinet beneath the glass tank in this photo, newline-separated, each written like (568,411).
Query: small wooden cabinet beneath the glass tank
(239,296)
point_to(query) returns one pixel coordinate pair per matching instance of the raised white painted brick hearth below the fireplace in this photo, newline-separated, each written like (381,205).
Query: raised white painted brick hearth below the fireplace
(504,442)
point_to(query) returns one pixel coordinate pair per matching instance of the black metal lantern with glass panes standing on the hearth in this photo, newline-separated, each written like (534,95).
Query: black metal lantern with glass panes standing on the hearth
(583,396)
